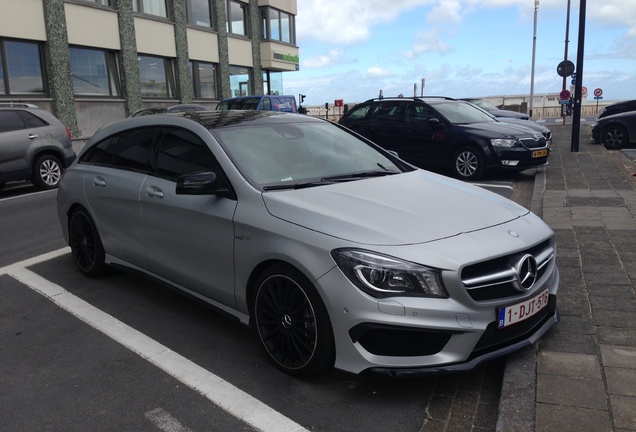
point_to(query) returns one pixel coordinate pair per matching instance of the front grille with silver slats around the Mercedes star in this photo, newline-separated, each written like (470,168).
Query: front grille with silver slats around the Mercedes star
(496,279)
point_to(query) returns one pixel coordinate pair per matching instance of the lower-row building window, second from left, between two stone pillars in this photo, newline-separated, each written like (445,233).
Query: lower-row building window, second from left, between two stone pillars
(94,72)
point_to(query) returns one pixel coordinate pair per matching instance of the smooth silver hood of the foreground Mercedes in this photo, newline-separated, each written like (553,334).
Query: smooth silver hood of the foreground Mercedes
(409,208)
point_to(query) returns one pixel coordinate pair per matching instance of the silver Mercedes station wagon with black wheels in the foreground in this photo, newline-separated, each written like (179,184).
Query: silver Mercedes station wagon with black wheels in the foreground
(338,253)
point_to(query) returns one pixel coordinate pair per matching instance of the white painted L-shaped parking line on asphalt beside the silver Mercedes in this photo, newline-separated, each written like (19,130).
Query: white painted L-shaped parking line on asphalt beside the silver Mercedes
(231,399)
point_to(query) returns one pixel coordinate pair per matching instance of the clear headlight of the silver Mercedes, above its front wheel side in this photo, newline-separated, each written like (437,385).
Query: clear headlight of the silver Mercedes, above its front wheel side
(384,276)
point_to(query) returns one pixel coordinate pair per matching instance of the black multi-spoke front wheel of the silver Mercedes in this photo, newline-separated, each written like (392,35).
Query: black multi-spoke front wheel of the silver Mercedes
(293,323)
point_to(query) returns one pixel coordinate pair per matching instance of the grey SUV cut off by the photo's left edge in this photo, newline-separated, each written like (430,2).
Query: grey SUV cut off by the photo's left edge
(34,146)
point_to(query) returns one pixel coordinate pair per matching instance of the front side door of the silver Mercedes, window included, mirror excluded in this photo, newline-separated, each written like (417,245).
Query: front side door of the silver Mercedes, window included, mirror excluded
(189,238)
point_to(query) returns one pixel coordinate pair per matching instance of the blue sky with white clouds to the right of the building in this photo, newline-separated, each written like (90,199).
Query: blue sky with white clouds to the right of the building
(350,49)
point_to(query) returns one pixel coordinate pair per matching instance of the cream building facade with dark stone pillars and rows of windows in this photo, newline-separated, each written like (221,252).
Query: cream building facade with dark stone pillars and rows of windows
(91,62)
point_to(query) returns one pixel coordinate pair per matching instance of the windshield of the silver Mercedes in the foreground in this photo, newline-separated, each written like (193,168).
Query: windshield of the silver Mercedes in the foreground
(278,154)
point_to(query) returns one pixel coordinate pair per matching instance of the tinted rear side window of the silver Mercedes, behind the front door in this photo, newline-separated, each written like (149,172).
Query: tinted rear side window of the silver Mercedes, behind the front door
(128,150)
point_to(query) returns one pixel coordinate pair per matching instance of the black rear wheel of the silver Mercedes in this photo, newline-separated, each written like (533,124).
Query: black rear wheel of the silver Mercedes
(86,246)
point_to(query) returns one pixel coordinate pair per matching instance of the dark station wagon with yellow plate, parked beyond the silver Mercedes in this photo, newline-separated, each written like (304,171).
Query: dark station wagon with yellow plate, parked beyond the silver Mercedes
(438,132)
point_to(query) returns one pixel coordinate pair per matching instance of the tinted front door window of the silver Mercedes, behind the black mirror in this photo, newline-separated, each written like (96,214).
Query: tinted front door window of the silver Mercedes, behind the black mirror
(182,152)
